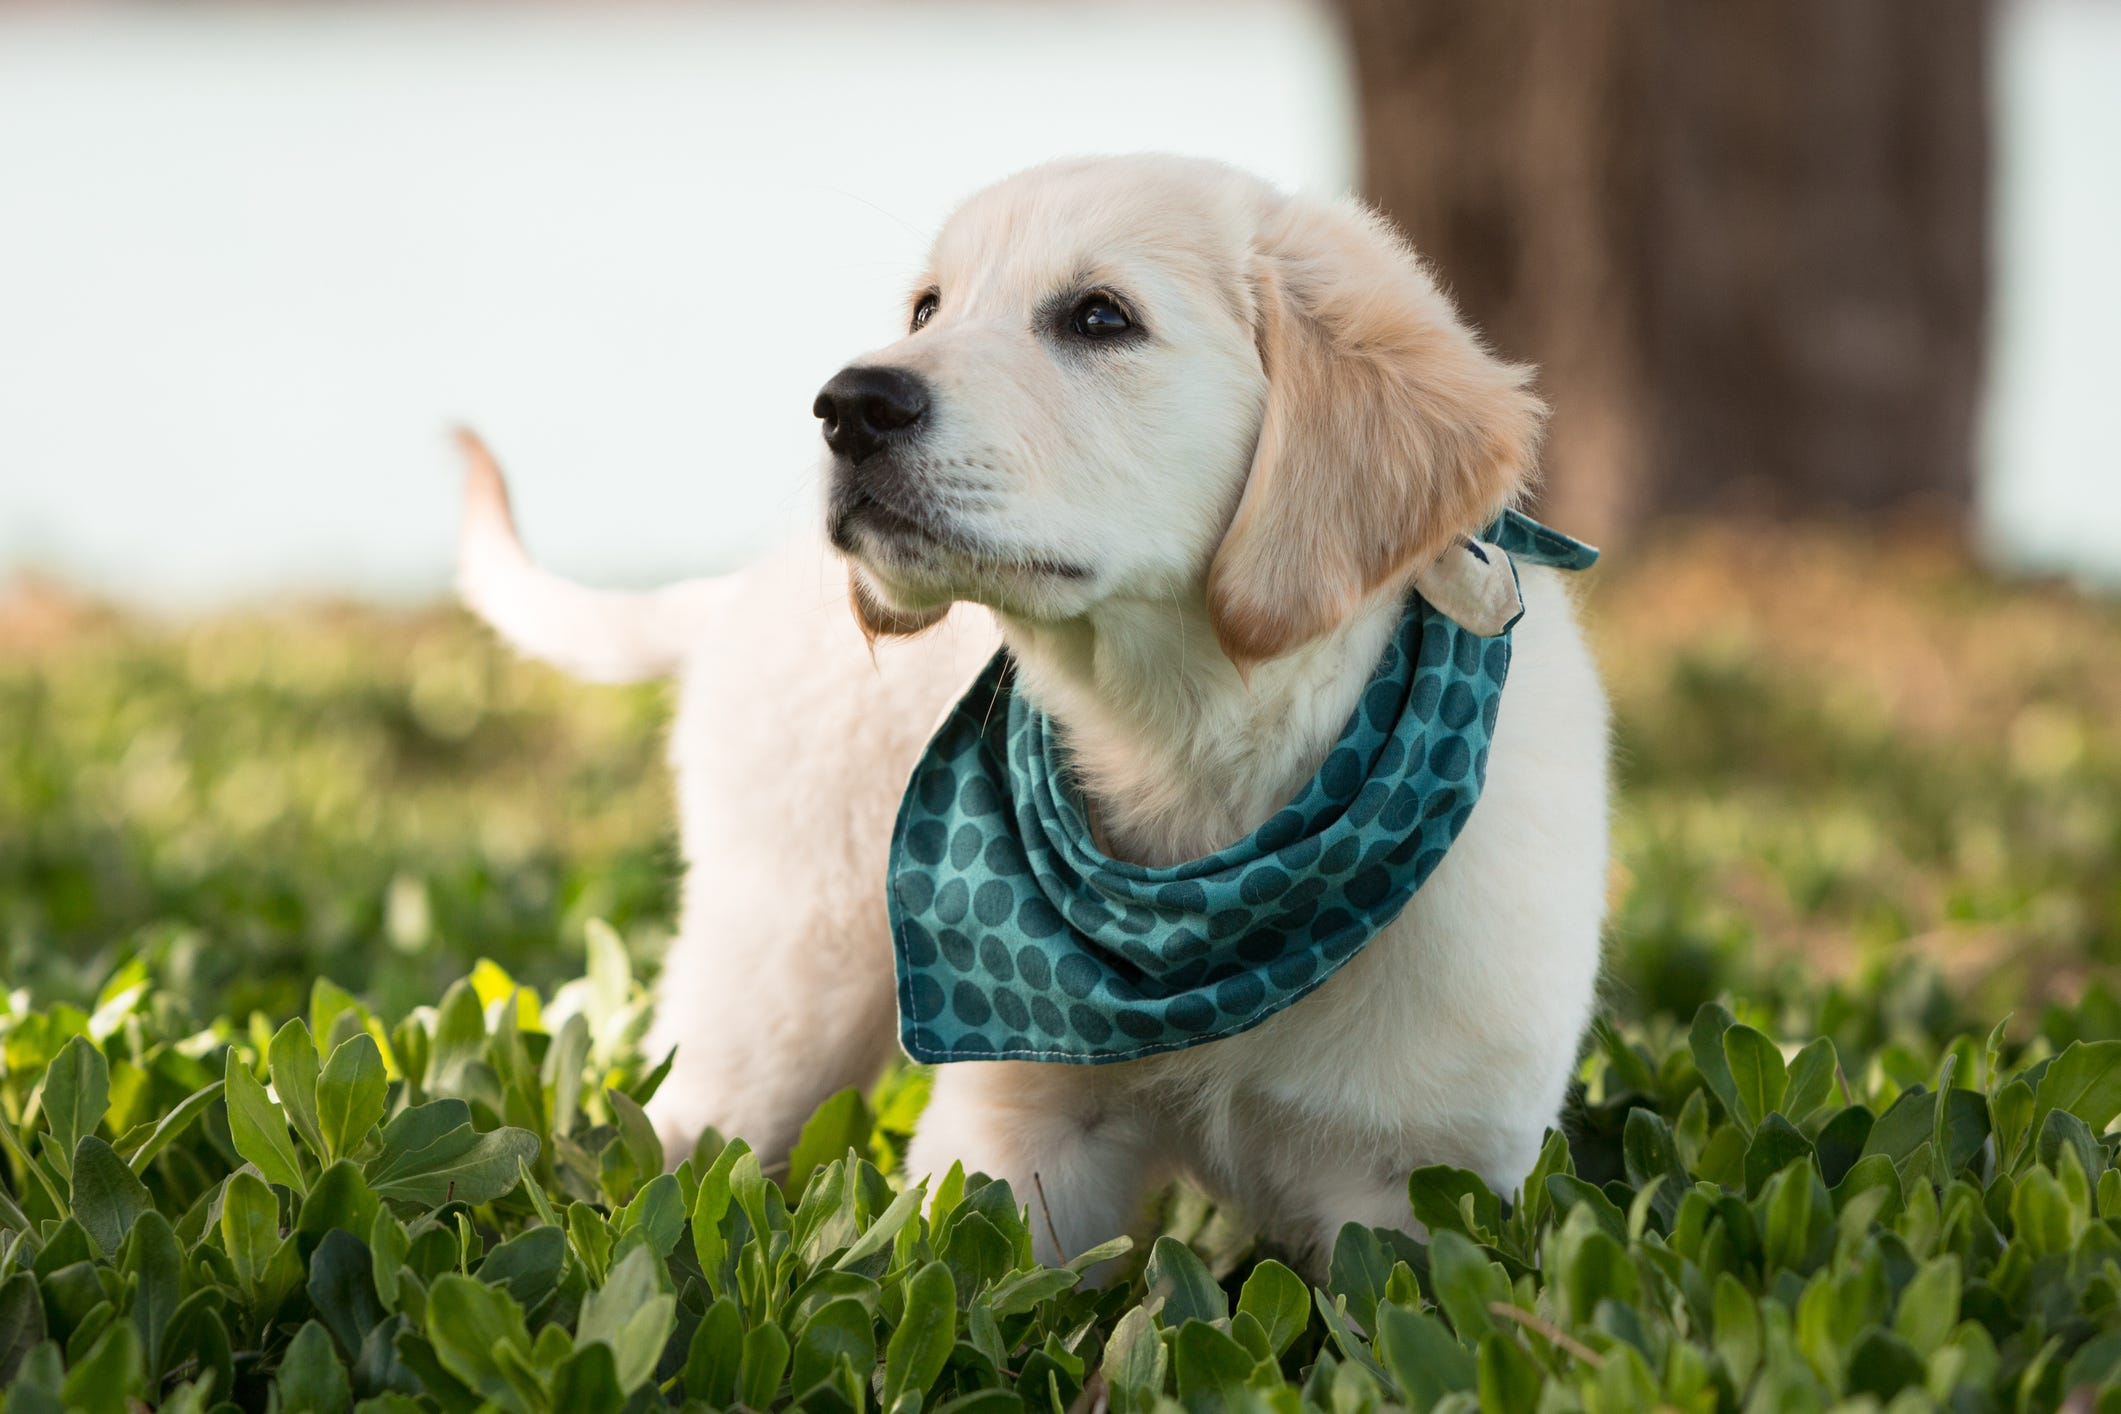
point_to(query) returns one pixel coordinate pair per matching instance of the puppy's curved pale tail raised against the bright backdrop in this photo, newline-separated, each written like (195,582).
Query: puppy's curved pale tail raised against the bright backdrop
(597,635)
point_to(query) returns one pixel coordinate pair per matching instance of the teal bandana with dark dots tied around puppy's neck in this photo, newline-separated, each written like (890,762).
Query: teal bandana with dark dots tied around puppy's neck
(1019,940)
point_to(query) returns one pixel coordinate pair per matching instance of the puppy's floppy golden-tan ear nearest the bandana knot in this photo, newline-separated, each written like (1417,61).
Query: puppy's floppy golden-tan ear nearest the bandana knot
(1390,431)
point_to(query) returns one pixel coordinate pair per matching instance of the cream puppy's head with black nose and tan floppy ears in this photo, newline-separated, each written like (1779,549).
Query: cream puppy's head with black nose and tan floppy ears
(1157,381)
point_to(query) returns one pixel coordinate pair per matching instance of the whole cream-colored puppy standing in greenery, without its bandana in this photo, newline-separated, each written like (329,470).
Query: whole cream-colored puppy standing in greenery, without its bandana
(1182,444)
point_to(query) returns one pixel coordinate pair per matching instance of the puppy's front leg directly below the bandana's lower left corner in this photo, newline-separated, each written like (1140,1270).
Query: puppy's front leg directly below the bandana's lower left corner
(1072,1150)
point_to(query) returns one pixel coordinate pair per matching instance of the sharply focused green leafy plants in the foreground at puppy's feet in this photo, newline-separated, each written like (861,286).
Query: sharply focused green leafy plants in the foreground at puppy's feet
(470,1212)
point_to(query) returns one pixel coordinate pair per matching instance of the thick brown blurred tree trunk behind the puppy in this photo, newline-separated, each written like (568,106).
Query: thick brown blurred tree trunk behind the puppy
(1745,243)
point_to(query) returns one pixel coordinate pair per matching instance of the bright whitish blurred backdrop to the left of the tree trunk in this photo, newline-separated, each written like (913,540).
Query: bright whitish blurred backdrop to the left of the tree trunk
(256,260)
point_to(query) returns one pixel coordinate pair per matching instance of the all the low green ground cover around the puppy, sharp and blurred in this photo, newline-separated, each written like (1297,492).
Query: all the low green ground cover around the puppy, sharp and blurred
(1842,1135)
